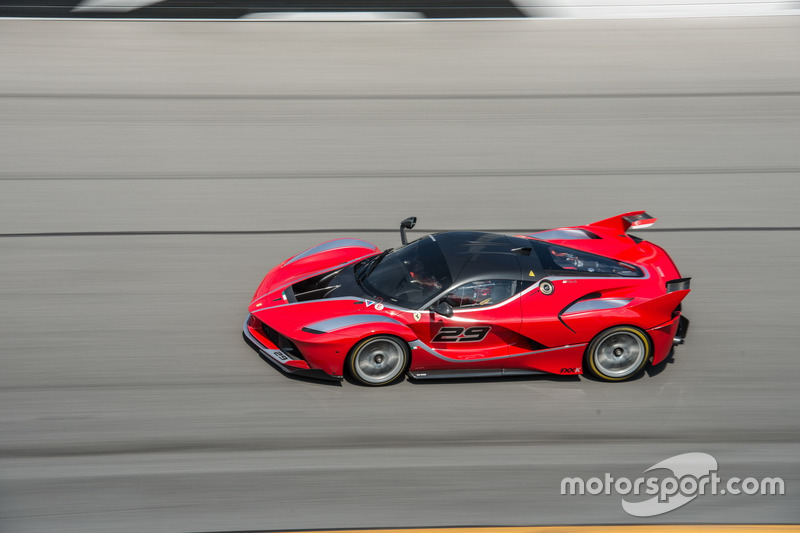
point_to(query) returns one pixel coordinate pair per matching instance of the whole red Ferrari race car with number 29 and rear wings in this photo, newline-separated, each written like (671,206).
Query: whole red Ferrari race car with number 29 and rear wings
(583,299)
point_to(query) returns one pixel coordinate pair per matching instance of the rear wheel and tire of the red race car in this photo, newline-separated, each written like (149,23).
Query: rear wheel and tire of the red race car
(618,354)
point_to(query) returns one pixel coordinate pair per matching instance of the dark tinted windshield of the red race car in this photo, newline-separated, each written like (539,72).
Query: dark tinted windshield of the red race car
(409,276)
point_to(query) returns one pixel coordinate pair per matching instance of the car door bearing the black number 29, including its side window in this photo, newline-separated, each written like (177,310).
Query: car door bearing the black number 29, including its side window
(486,318)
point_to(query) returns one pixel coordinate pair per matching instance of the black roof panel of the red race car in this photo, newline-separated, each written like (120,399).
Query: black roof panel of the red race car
(475,255)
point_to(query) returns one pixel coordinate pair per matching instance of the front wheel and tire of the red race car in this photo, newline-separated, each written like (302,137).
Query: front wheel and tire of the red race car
(378,360)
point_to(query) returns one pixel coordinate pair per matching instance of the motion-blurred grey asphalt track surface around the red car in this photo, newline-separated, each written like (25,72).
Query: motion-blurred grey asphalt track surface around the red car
(151,173)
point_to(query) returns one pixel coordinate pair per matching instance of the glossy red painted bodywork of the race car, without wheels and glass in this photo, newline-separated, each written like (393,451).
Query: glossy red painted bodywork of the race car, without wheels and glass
(531,331)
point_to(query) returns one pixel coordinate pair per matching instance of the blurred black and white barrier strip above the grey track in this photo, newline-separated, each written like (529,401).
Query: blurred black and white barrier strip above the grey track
(390,9)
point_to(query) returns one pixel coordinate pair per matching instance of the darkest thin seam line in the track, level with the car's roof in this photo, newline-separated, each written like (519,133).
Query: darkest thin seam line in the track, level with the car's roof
(356,230)
